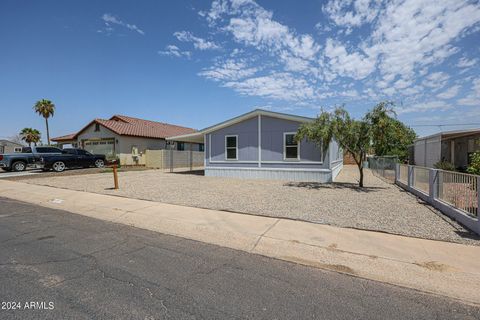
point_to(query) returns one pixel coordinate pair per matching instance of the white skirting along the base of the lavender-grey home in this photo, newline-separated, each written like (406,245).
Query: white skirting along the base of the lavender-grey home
(303,175)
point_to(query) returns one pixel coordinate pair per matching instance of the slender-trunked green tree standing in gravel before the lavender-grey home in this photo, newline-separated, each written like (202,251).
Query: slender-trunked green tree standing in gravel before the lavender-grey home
(354,136)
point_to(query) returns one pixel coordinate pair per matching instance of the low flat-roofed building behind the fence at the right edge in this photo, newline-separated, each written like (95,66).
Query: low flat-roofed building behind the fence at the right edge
(451,146)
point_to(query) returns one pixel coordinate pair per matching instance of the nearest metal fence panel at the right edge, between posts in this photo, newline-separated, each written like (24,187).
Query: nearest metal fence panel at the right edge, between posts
(460,190)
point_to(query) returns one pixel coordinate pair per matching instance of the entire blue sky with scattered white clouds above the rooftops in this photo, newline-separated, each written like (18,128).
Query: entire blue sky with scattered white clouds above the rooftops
(196,63)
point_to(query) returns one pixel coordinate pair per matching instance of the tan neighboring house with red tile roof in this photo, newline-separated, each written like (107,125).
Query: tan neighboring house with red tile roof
(126,138)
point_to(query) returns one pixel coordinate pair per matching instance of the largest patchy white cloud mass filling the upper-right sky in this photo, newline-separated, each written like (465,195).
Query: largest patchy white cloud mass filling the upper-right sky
(399,52)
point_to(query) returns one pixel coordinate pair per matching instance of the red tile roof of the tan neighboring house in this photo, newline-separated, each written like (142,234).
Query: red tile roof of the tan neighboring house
(129,126)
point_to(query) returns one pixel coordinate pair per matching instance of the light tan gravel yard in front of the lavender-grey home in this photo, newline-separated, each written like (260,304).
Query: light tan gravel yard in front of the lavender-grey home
(380,206)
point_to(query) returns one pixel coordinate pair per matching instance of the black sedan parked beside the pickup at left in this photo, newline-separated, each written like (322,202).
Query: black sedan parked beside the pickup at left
(72,158)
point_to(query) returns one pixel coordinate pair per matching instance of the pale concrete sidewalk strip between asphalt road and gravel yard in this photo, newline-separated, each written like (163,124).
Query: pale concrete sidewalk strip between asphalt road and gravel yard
(443,268)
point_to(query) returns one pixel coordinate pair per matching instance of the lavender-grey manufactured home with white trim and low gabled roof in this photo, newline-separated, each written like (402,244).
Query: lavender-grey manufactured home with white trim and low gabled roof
(261,144)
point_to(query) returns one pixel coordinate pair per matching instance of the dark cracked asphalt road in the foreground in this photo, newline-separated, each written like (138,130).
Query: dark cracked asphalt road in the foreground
(74,267)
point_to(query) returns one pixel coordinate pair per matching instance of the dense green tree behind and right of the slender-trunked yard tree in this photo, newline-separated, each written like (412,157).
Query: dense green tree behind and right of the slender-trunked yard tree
(391,137)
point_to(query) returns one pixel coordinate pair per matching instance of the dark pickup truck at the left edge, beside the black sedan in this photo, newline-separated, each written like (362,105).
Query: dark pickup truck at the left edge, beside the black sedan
(28,157)
